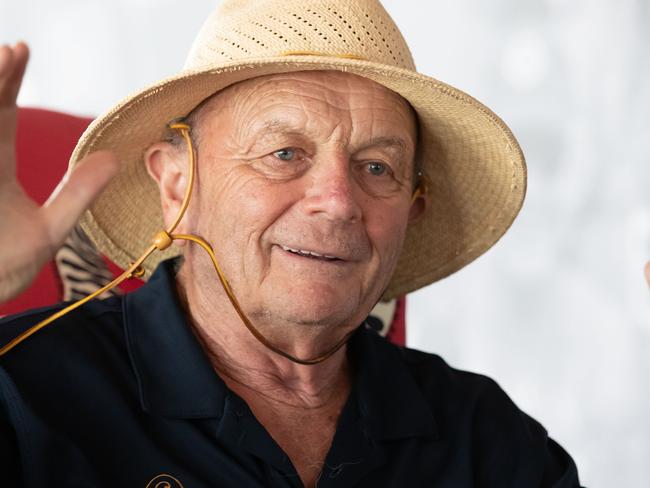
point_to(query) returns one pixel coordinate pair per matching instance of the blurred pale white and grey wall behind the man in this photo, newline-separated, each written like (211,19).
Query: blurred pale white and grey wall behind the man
(558,311)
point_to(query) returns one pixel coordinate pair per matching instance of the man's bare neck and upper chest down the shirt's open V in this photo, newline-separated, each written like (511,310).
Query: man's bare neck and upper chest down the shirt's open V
(299,405)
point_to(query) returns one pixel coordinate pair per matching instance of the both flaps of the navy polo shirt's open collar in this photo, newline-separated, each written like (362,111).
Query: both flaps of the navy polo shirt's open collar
(175,377)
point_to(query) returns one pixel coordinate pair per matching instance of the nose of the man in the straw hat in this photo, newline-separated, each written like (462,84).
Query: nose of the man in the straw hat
(332,191)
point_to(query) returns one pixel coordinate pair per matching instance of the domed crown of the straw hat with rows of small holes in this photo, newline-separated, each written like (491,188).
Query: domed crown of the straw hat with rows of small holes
(241,29)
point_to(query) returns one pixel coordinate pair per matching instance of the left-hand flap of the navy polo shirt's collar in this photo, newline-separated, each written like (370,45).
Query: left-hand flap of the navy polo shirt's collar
(174,375)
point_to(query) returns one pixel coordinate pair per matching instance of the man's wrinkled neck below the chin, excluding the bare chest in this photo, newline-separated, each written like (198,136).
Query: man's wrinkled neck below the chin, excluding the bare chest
(249,368)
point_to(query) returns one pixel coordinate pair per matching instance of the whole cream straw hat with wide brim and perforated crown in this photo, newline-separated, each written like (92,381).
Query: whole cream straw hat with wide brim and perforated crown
(475,166)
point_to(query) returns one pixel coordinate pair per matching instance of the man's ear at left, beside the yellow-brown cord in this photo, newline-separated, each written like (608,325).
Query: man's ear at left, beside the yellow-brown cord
(167,165)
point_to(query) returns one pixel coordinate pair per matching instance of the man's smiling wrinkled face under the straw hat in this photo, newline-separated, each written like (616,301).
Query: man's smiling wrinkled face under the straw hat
(304,191)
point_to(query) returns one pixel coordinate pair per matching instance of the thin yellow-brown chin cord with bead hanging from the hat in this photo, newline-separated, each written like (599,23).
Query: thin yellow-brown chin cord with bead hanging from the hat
(162,240)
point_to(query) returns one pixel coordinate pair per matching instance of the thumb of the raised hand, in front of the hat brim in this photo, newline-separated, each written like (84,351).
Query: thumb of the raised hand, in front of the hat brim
(76,192)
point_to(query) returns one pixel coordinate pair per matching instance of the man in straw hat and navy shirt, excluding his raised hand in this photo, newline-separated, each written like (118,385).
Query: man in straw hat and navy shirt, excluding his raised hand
(320,172)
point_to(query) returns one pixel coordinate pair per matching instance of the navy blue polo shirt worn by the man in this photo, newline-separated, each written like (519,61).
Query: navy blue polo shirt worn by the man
(120,393)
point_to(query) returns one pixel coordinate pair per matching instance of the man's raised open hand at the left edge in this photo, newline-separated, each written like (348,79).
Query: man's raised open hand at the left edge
(29,234)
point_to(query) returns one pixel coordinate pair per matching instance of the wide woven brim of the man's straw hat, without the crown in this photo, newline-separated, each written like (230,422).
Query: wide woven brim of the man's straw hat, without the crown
(475,166)
